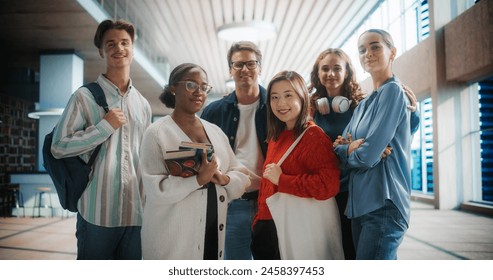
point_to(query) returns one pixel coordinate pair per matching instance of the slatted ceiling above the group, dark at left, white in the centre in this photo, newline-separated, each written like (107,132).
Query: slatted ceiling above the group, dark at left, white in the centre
(177,31)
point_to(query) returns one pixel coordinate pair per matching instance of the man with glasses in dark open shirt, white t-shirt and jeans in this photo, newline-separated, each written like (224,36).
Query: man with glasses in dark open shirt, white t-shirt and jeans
(242,115)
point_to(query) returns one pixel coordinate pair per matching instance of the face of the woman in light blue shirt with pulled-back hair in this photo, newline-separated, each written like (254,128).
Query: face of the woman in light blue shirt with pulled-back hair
(375,54)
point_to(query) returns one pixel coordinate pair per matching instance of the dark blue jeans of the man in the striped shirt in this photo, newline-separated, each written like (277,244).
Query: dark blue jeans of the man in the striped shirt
(105,243)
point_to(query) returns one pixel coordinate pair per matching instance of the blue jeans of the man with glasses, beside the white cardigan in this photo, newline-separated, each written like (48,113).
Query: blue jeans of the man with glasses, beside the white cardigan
(239,229)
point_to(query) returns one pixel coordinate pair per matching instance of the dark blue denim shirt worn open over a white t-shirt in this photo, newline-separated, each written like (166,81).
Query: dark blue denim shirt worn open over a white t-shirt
(225,114)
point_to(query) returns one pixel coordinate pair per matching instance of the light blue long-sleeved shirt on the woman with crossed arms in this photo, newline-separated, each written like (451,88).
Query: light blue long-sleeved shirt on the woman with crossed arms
(382,119)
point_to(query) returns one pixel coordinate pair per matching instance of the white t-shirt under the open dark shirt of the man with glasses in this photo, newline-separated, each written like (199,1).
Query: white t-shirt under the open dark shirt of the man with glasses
(247,148)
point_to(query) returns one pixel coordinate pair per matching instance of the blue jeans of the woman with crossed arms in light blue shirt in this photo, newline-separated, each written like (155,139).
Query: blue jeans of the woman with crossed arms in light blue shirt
(378,234)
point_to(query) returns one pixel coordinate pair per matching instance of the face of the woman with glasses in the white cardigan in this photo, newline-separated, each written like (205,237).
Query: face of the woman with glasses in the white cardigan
(187,100)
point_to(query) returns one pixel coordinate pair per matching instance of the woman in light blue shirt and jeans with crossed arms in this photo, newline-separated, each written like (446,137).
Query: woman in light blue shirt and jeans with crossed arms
(379,187)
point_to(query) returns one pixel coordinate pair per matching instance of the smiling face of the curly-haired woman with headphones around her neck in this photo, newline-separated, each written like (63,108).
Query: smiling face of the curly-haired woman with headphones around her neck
(332,73)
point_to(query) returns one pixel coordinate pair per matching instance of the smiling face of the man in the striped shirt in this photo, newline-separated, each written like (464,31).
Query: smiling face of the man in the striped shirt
(117,48)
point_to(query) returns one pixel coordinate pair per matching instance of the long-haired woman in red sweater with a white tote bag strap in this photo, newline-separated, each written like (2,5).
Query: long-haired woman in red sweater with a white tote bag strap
(310,170)
